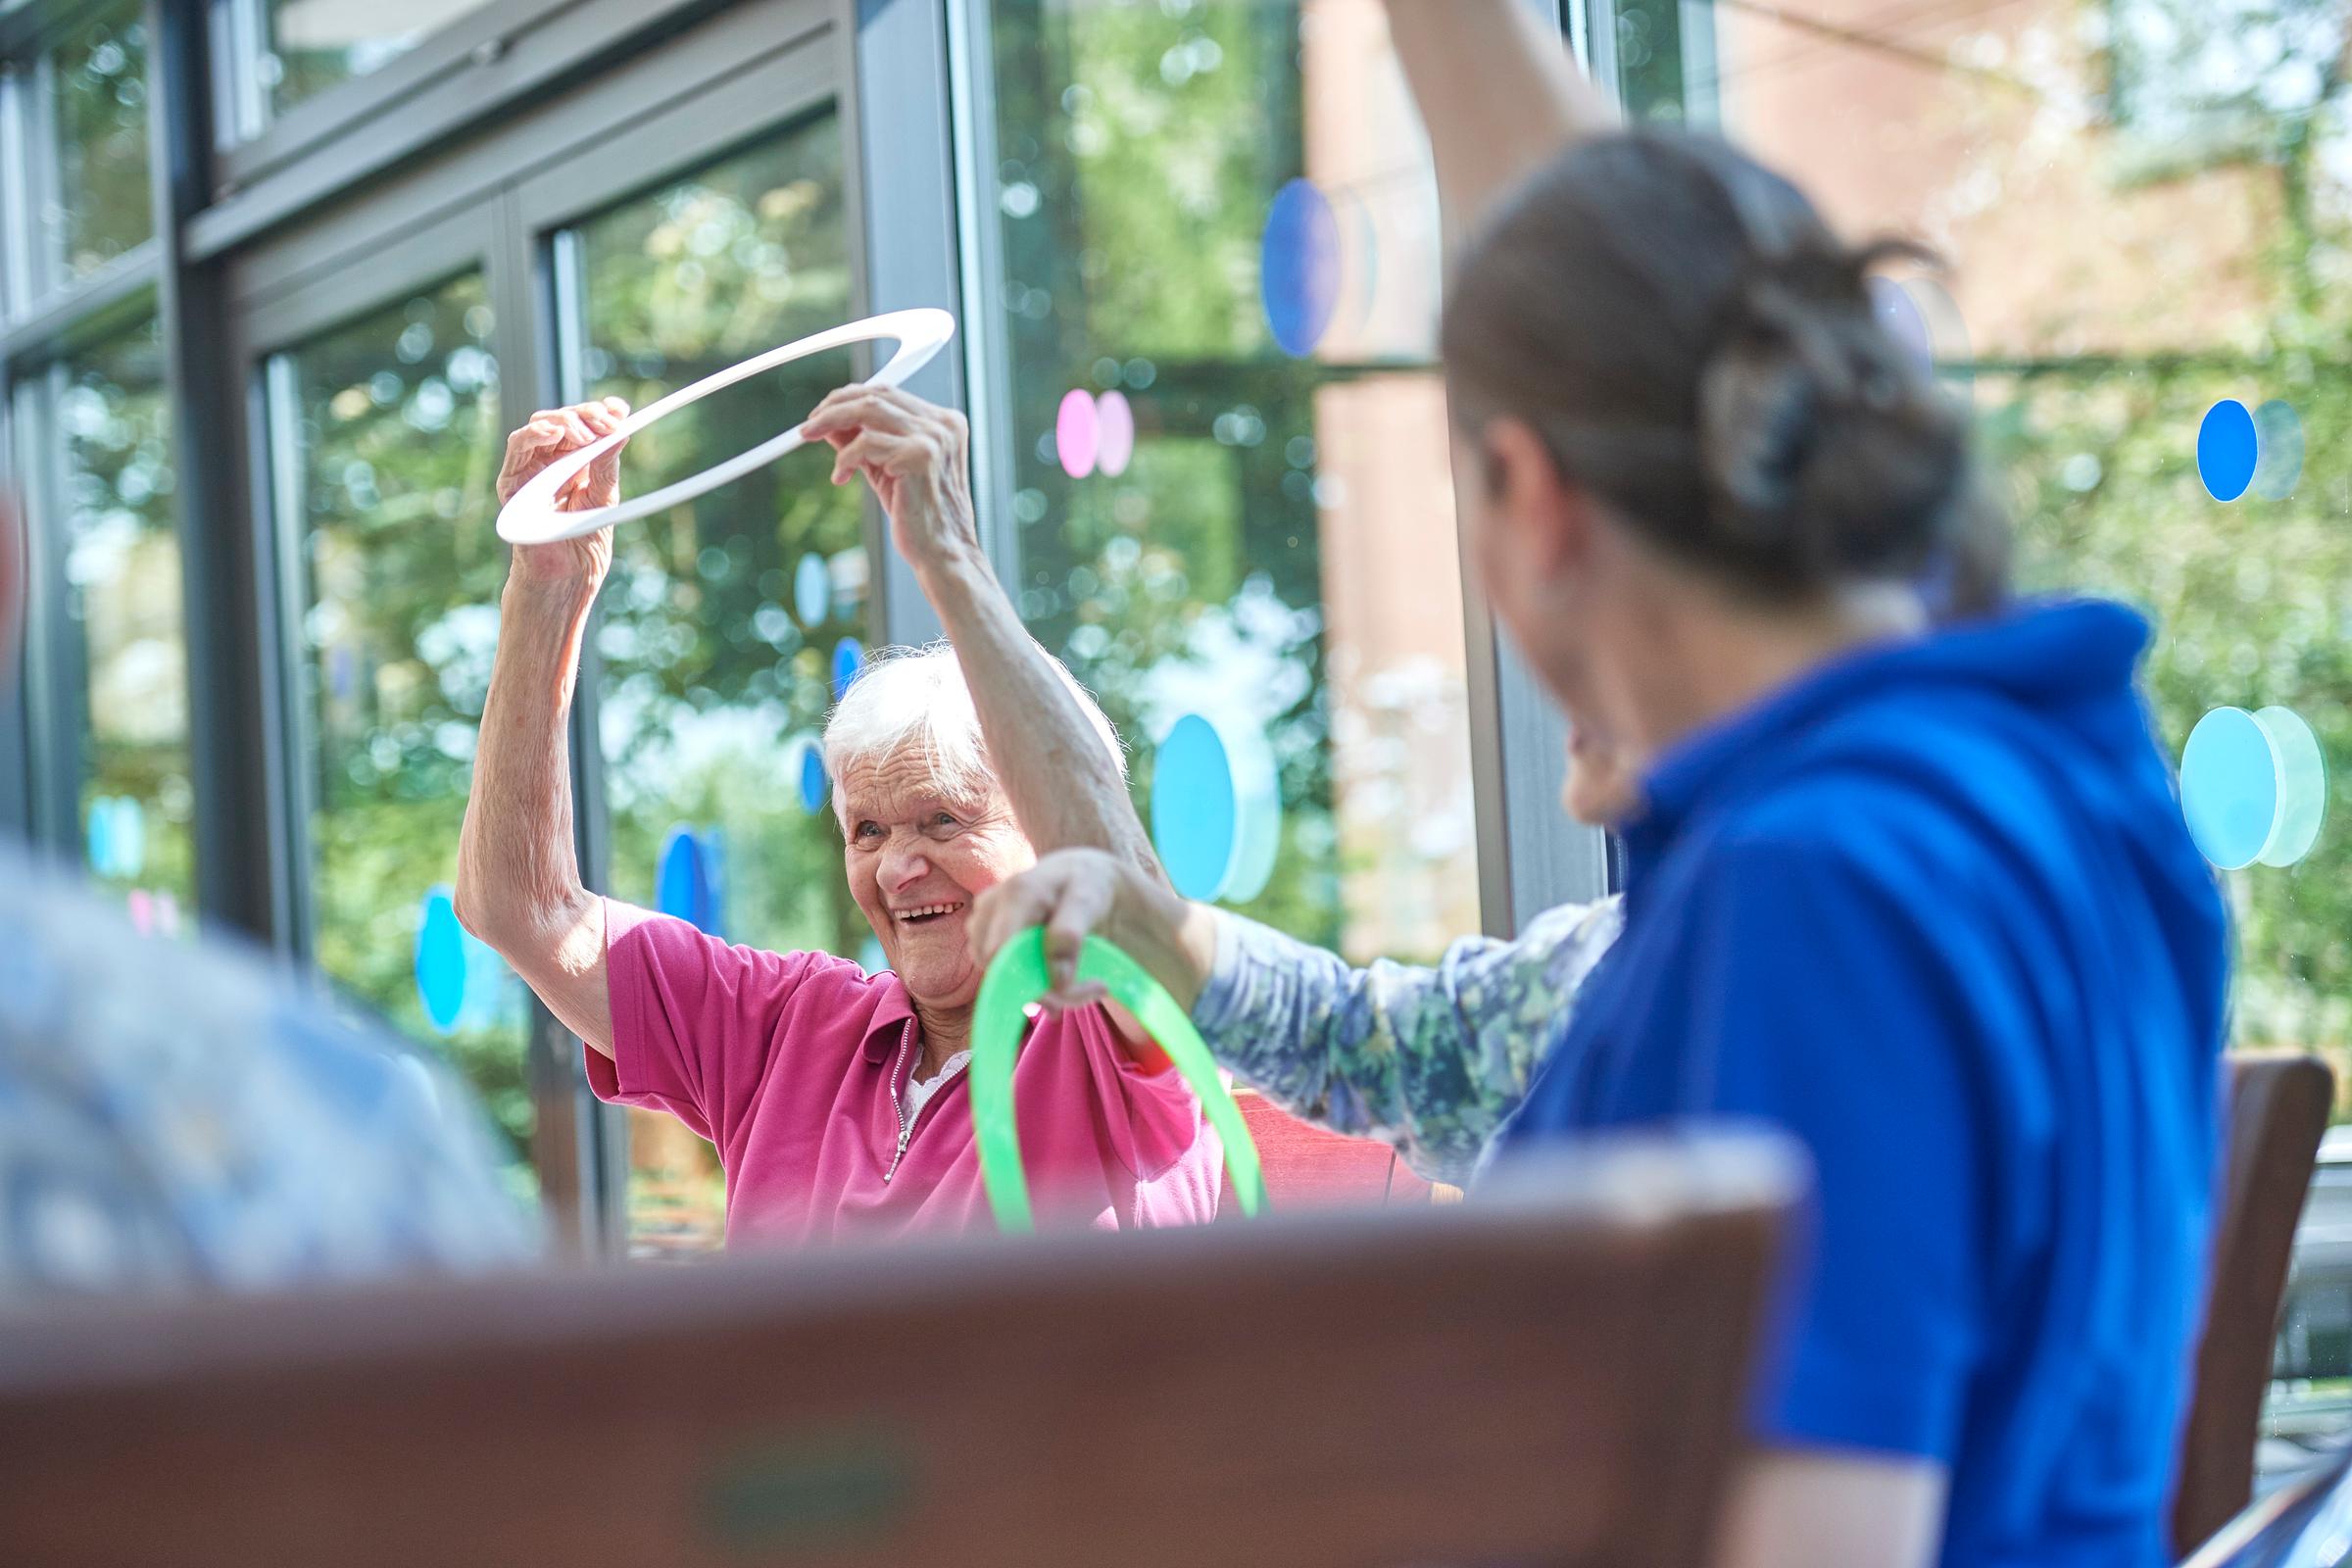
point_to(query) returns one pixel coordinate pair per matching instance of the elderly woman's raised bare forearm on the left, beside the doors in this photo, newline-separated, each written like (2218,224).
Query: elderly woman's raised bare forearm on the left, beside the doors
(519,873)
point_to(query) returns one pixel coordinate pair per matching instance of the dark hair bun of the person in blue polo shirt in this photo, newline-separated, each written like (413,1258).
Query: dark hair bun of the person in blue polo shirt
(1824,445)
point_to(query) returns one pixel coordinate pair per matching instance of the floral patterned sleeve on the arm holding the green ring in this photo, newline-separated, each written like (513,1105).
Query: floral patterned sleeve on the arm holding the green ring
(1424,1059)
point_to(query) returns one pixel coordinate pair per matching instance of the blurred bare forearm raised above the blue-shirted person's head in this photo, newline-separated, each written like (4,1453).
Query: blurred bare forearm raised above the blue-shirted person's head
(1497,93)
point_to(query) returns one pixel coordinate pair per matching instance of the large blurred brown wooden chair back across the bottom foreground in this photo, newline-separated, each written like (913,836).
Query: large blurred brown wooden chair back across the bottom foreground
(1570,1358)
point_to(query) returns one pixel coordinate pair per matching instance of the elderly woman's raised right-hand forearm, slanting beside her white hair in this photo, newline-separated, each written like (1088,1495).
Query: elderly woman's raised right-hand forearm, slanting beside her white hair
(1060,777)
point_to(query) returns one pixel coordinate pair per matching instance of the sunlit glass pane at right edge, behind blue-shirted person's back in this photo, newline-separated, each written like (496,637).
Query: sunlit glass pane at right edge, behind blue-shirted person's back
(2146,210)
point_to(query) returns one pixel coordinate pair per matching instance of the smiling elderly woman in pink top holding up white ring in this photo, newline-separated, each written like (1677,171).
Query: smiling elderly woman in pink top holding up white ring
(836,1099)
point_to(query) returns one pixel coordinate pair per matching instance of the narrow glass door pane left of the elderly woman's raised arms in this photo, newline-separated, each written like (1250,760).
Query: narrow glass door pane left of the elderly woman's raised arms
(389,455)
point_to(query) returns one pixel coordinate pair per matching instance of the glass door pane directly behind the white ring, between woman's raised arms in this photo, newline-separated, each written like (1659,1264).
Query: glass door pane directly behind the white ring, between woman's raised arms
(723,617)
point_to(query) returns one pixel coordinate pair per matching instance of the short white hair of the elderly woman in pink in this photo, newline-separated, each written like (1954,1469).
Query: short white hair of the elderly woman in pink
(918,699)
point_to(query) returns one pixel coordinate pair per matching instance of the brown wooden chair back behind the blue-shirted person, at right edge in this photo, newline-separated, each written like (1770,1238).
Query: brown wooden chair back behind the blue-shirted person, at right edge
(2278,1108)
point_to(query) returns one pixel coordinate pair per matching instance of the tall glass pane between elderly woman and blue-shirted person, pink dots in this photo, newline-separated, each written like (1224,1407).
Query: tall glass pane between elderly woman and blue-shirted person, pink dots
(1231,445)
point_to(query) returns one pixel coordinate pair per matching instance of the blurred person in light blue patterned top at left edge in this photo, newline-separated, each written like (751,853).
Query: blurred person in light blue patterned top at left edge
(182,1118)
